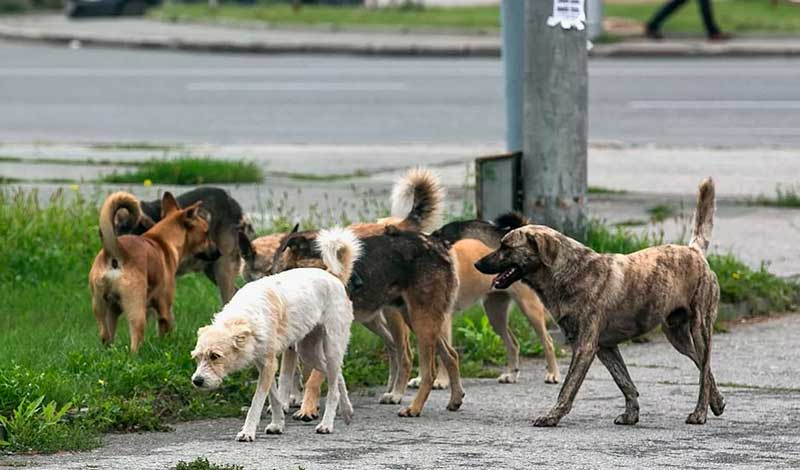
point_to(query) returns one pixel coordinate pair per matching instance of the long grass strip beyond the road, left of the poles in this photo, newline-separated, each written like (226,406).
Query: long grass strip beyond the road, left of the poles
(478,18)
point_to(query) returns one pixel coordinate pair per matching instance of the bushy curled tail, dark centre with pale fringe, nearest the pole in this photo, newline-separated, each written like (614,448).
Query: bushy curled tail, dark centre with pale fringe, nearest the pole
(418,199)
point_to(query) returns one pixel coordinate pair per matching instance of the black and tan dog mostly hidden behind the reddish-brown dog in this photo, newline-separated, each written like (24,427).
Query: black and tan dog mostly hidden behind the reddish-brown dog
(225,221)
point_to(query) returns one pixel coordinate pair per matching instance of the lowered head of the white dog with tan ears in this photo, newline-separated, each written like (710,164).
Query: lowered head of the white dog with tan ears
(221,350)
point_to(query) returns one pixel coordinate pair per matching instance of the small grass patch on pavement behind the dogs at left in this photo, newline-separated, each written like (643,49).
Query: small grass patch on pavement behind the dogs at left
(190,171)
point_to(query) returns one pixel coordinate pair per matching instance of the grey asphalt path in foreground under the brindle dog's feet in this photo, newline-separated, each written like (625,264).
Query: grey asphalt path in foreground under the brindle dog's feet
(755,366)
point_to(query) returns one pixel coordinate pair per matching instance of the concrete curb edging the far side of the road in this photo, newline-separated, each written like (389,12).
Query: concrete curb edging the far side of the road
(293,45)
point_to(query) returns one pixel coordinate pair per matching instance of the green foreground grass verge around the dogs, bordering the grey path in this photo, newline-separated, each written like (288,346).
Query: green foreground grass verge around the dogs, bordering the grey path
(65,398)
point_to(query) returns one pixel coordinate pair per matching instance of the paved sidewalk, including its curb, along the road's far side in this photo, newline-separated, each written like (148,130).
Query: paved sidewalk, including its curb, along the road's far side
(214,37)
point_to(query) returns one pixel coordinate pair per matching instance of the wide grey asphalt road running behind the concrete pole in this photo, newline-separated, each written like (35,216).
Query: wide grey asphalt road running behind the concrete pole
(58,94)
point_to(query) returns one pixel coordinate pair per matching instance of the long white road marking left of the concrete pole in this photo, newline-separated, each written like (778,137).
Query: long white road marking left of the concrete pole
(296,86)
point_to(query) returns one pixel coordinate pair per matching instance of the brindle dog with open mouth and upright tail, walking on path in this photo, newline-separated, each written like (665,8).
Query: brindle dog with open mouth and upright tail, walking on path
(601,300)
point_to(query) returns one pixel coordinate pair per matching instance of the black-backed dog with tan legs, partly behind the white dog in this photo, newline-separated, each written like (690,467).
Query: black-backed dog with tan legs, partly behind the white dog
(396,268)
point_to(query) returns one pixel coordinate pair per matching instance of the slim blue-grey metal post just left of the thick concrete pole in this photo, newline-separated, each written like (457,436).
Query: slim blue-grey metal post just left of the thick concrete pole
(512,20)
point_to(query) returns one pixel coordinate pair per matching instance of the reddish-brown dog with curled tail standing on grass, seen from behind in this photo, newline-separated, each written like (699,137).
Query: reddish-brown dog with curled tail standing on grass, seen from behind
(133,273)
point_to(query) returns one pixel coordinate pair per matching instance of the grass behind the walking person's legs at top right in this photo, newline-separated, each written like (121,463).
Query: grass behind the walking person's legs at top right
(736,16)
